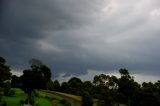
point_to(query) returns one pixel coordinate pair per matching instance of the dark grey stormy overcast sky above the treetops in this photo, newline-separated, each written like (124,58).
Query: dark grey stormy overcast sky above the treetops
(74,36)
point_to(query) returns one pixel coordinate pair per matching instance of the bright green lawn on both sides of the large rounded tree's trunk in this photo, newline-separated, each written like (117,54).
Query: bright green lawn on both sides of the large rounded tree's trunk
(43,99)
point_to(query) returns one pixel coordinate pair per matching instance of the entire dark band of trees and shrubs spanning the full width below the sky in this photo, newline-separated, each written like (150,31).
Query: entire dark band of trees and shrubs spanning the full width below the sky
(105,90)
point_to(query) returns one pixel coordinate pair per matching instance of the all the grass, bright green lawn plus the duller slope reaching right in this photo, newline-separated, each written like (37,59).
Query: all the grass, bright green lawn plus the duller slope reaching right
(42,98)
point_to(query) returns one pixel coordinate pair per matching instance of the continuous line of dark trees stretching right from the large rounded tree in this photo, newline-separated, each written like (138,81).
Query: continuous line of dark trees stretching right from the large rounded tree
(112,91)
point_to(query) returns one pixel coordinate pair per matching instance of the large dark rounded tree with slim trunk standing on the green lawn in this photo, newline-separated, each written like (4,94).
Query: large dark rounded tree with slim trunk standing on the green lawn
(35,78)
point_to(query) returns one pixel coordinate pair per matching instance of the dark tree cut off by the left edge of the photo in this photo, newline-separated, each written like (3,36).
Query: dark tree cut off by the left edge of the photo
(5,73)
